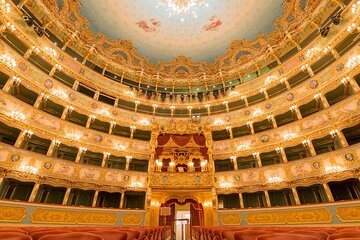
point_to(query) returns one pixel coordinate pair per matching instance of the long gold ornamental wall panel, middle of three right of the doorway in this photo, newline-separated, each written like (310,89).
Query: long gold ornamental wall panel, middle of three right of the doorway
(319,215)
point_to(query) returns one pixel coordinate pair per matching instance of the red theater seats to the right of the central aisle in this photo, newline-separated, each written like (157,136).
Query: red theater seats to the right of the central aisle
(276,233)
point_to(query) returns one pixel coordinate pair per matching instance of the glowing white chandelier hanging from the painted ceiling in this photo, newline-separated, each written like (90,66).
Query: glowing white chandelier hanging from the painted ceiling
(182,7)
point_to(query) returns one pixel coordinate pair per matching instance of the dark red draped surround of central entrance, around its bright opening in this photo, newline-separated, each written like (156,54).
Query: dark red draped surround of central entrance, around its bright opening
(196,213)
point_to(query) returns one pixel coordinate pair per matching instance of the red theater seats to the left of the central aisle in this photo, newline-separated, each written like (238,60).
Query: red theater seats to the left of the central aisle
(84,233)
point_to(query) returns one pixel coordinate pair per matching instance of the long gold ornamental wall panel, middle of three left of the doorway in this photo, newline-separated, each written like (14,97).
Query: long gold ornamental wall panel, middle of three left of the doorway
(50,216)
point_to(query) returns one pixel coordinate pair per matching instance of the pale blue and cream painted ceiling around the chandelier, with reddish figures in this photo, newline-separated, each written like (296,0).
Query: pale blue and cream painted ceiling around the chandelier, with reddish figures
(160,37)
